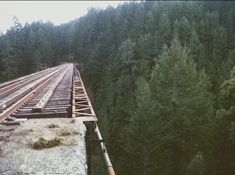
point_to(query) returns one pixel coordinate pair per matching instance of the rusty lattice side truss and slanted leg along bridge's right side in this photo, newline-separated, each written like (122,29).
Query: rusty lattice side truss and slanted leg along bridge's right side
(81,107)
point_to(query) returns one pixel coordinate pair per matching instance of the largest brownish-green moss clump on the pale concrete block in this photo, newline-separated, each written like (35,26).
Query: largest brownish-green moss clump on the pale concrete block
(42,143)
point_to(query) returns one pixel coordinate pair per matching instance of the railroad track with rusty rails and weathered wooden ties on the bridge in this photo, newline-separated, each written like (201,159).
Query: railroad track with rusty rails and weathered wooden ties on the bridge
(36,95)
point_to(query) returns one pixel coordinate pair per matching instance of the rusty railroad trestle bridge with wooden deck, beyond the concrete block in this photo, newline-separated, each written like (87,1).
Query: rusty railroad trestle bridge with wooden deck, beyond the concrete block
(57,93)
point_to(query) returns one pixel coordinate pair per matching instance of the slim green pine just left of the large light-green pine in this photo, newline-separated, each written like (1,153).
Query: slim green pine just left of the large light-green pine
(141,136)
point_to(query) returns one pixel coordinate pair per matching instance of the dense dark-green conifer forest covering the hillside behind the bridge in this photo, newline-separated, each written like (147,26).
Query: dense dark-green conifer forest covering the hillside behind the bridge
(160,75)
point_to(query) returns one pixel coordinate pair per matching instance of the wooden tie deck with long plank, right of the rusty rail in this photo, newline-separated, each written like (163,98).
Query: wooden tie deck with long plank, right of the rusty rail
(54,100)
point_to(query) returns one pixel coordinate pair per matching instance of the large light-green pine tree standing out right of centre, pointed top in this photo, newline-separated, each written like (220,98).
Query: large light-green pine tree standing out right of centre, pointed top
(185,105)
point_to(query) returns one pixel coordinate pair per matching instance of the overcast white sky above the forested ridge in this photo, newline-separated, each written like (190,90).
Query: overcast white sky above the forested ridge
(57,12)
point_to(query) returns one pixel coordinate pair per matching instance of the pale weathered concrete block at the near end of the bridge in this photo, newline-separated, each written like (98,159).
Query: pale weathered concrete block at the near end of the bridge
(19,156)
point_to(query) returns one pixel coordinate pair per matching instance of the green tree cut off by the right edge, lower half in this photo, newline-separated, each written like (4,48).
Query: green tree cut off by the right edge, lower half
(224,152)
